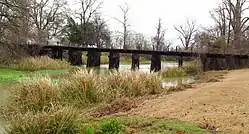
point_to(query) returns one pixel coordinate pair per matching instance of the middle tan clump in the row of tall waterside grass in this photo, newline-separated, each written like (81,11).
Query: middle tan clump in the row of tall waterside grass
(82,88)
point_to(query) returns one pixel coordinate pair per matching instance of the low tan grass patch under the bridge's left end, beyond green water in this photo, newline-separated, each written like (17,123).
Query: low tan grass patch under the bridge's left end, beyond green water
(40,63)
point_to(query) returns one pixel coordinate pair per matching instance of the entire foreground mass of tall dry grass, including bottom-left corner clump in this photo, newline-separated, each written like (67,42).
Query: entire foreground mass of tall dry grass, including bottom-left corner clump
(43,101)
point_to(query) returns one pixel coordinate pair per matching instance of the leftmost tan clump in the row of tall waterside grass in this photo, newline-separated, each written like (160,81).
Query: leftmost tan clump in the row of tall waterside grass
(40,94)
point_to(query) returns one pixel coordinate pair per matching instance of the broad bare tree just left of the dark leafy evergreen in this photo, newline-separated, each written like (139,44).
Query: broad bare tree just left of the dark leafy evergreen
(47,17)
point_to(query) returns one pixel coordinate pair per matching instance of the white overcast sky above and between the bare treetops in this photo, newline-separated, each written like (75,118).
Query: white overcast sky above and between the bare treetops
(143,15)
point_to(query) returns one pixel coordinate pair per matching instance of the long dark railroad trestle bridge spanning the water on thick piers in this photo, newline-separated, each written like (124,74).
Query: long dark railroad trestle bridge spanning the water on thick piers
(209,61)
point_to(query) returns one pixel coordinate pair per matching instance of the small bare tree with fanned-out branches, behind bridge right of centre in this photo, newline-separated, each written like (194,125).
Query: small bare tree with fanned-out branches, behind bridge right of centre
(186,33)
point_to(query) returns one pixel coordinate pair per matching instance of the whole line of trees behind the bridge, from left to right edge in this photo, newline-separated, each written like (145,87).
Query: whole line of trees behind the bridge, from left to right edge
(37,21)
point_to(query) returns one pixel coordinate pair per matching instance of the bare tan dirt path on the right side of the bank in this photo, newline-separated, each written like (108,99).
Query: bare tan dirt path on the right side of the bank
(224,104)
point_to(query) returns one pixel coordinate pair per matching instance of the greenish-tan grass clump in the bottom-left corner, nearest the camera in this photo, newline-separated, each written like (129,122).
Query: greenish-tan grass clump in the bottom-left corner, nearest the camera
(63,121)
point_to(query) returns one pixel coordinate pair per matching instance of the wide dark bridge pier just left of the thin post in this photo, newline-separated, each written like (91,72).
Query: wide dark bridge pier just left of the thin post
(155,62)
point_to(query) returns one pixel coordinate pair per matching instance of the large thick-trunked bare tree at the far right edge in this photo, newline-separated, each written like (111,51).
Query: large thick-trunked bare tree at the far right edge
(231,23)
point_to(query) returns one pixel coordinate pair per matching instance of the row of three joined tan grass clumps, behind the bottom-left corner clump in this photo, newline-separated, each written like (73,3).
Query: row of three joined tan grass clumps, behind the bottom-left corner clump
(81,88)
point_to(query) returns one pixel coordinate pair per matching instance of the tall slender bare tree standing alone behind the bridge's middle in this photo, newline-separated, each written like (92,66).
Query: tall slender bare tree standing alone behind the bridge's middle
(124,22)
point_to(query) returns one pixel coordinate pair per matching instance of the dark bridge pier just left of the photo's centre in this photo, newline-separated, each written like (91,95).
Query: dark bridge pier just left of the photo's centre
(114,60)
